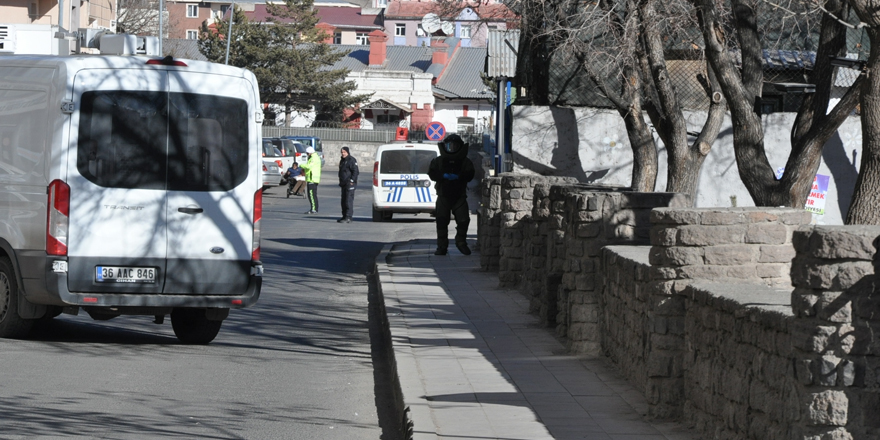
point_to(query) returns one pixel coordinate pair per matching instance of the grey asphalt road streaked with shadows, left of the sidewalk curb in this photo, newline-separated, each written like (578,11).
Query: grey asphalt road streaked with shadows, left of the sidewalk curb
(297,365)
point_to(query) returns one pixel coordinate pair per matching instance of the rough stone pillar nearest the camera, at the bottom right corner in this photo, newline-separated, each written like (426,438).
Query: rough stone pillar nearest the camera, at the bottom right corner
(835,336)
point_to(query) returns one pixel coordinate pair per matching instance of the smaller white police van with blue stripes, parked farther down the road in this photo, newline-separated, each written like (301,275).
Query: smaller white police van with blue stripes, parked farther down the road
(400,180)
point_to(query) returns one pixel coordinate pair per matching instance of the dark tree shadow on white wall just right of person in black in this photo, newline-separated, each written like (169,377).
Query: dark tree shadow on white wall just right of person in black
(565,158)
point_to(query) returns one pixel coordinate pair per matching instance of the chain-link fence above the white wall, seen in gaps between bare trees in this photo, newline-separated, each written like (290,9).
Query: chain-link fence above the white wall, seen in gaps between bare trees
(790,39)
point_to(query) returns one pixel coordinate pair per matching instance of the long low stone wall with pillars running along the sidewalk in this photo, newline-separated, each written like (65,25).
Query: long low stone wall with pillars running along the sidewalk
(745,323)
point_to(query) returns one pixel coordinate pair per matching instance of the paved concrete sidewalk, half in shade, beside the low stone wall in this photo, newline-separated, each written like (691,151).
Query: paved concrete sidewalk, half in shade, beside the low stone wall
(473,364)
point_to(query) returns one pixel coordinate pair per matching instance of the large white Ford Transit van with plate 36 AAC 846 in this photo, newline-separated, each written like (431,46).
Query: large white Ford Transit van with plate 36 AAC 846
(128,186)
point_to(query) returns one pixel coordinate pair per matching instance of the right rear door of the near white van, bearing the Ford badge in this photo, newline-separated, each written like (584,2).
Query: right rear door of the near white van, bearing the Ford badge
(211,184)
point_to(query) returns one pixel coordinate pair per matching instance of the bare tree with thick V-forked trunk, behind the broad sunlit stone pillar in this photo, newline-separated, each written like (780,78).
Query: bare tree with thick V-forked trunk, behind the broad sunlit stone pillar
(742,87)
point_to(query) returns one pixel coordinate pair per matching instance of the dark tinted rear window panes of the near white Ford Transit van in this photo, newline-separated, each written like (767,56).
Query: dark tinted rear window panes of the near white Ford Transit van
(157,140)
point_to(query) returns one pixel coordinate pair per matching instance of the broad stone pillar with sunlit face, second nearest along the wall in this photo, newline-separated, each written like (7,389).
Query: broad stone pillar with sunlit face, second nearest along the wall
(738,245)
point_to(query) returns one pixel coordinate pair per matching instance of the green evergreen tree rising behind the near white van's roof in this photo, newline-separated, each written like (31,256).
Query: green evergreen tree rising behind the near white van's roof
(289,58)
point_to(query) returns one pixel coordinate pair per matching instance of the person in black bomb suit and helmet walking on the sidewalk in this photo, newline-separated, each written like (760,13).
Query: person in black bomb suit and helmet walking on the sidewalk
(452,171)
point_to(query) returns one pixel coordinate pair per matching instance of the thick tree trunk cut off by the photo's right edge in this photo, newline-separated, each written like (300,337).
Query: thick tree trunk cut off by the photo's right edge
(865,207)
